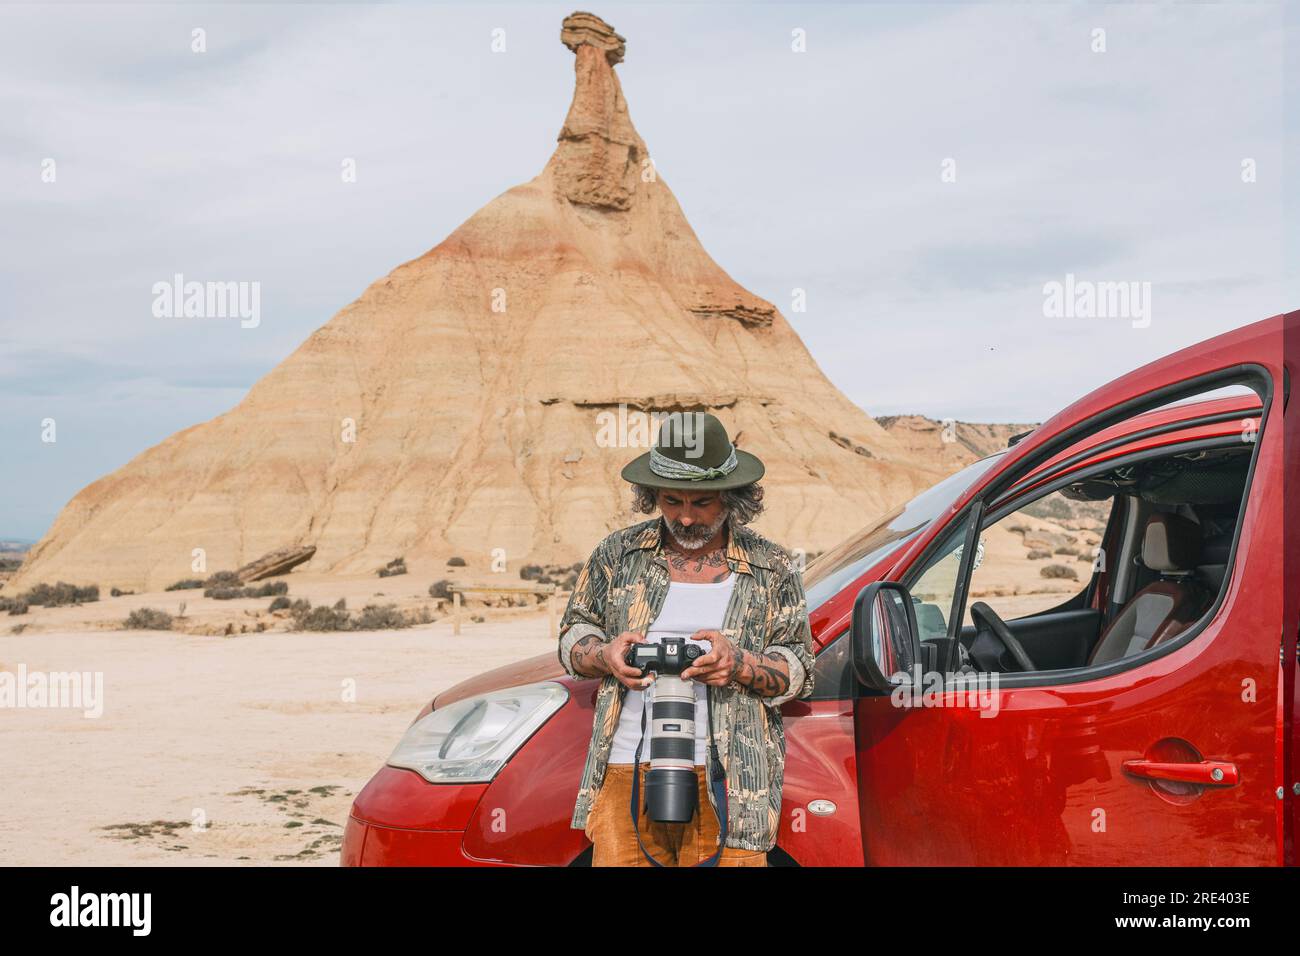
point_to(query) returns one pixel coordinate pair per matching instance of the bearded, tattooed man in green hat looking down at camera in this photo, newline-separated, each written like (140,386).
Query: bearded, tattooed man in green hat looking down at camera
(696,570)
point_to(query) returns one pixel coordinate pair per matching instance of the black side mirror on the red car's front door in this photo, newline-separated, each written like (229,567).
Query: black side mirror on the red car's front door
(886,647)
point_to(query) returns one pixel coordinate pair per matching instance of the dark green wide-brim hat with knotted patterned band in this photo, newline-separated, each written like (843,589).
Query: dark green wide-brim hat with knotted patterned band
(694,452)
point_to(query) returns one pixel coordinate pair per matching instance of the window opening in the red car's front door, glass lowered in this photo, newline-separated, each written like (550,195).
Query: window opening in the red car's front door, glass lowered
(1184,504)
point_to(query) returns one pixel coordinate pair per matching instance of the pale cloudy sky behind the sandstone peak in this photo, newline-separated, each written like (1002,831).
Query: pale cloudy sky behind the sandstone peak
(904,181)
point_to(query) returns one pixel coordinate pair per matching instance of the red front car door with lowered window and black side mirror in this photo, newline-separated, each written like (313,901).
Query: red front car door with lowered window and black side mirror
(1160,751)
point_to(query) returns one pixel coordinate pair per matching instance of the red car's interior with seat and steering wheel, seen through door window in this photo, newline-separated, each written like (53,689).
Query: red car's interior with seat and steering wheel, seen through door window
(1160,564)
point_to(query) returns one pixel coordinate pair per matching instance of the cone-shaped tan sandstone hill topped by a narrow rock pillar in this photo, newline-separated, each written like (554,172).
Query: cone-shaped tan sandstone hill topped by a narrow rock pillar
(453,409)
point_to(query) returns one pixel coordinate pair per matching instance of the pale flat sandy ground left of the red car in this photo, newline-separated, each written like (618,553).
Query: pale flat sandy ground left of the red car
(220,750)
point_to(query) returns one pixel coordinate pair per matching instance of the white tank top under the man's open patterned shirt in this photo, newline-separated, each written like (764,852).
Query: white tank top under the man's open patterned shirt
(687,608)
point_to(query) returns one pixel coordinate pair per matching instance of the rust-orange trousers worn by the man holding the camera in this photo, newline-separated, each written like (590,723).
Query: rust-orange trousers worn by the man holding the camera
(609,827)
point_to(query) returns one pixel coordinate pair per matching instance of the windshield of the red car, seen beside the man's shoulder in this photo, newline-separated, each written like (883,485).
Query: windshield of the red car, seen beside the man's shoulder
(831,572)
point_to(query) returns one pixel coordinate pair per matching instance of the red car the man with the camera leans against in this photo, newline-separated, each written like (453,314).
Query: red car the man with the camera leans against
(1081,650)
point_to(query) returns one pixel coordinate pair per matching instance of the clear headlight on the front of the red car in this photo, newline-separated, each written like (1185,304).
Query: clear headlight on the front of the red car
(470,742)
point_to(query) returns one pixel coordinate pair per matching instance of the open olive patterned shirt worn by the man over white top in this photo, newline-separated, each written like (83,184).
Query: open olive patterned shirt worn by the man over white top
(622,589)
